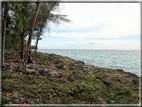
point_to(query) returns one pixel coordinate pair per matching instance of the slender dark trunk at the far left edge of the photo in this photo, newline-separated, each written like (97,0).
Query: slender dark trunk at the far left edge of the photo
(4,31)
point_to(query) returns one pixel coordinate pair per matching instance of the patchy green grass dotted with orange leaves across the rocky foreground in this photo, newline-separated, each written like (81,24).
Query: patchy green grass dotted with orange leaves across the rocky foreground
(119,93)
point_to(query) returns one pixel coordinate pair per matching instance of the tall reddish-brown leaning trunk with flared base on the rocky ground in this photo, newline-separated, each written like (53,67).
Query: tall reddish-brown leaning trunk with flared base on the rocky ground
(29,52)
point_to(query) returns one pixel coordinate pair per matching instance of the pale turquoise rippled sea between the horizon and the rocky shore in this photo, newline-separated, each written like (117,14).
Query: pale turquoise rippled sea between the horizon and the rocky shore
(128,60)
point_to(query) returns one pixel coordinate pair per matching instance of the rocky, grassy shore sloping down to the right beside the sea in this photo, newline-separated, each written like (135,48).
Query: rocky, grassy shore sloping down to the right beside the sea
(56,79)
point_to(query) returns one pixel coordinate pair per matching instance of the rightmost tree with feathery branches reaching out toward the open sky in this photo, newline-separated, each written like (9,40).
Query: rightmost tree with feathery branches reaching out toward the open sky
(45,16)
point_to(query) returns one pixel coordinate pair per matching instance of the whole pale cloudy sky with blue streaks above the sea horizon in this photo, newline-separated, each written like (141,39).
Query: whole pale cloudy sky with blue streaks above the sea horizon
(104,26)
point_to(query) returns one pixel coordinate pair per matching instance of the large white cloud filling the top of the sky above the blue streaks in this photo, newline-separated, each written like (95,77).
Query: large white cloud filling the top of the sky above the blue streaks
(109,15)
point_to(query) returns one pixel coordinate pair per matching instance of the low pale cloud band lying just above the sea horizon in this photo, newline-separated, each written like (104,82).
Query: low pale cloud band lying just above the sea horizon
(99,44)
